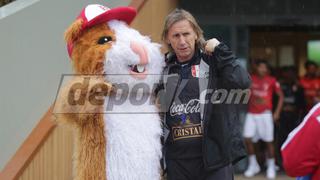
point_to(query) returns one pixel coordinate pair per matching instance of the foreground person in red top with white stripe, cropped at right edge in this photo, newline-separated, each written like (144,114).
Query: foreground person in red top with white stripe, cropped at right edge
(301,150)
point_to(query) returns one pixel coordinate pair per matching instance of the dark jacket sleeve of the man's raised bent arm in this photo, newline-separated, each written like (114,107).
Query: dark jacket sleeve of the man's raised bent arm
(231,74)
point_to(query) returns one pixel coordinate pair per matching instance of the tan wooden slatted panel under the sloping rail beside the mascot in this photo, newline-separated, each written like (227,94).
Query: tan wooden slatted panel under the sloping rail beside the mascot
(53,160)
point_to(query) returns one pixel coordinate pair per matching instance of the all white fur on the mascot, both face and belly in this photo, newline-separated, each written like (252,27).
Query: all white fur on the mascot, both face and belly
(133,140)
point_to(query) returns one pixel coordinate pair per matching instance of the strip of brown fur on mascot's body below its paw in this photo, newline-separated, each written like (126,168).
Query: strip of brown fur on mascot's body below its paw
(90,149)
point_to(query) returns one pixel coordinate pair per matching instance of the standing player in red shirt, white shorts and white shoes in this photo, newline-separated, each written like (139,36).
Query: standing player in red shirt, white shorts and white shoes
(259,120)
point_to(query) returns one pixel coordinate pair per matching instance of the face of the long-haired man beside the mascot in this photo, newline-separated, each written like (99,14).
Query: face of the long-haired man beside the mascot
(182,39)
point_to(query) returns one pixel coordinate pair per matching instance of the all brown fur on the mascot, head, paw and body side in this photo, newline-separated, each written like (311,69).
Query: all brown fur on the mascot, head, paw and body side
(88,58)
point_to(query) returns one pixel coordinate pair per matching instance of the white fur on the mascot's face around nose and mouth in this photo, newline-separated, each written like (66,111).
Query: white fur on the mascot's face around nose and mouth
(120,55)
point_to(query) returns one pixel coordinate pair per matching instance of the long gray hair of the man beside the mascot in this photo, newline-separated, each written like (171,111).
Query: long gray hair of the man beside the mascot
(179,15)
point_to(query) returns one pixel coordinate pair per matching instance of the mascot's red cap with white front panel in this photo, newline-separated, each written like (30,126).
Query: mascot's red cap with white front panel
(94,14)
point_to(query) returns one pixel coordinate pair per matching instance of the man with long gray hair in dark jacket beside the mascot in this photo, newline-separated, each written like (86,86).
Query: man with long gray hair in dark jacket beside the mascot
(204,138)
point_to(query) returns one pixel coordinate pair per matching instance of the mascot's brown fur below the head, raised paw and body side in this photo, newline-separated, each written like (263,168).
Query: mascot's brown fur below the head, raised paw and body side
(88,124)
